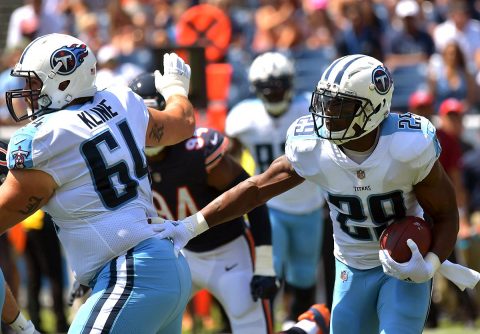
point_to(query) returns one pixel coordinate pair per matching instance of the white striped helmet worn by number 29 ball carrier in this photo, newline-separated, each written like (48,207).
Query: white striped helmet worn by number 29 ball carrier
(352,98)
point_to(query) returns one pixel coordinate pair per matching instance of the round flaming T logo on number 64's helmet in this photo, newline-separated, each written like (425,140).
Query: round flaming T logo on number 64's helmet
(70,57)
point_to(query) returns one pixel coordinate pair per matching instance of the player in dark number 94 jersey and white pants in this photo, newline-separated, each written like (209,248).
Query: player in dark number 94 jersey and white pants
(185,177)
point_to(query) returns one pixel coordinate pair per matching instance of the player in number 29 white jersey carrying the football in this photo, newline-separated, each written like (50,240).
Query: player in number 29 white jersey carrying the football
(372,166)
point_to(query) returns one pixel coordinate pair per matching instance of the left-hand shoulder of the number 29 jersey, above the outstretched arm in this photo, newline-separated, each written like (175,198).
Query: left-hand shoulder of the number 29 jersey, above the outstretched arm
(301,147)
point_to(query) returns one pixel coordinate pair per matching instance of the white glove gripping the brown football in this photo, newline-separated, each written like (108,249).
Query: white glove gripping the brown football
(417,269)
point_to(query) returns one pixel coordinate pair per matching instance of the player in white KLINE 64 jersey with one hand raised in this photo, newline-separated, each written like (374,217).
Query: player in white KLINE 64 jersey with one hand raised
(81,159)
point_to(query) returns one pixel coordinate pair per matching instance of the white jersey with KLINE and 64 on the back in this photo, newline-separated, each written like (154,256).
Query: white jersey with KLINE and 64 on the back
(94,152)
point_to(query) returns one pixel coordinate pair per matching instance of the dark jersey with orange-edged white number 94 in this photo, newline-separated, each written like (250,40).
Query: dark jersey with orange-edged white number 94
(180,188)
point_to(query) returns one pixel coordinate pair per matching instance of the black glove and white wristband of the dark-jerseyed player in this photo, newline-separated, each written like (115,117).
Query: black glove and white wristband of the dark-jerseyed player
(264,283)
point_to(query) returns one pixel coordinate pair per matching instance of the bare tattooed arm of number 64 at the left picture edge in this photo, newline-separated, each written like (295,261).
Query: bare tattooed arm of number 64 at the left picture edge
(23,192)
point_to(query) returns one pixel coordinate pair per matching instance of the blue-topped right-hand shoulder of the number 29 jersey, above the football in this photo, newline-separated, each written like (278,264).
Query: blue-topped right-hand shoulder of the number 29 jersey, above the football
(414,139)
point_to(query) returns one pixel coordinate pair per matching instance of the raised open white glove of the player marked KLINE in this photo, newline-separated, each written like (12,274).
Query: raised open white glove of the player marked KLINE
(176,77)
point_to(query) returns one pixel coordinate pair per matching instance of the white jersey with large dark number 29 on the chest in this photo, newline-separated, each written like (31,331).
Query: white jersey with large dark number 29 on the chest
(363,197)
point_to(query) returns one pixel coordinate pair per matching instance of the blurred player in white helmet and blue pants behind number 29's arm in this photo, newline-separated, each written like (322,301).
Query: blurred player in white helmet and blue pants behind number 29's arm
(296,216)
